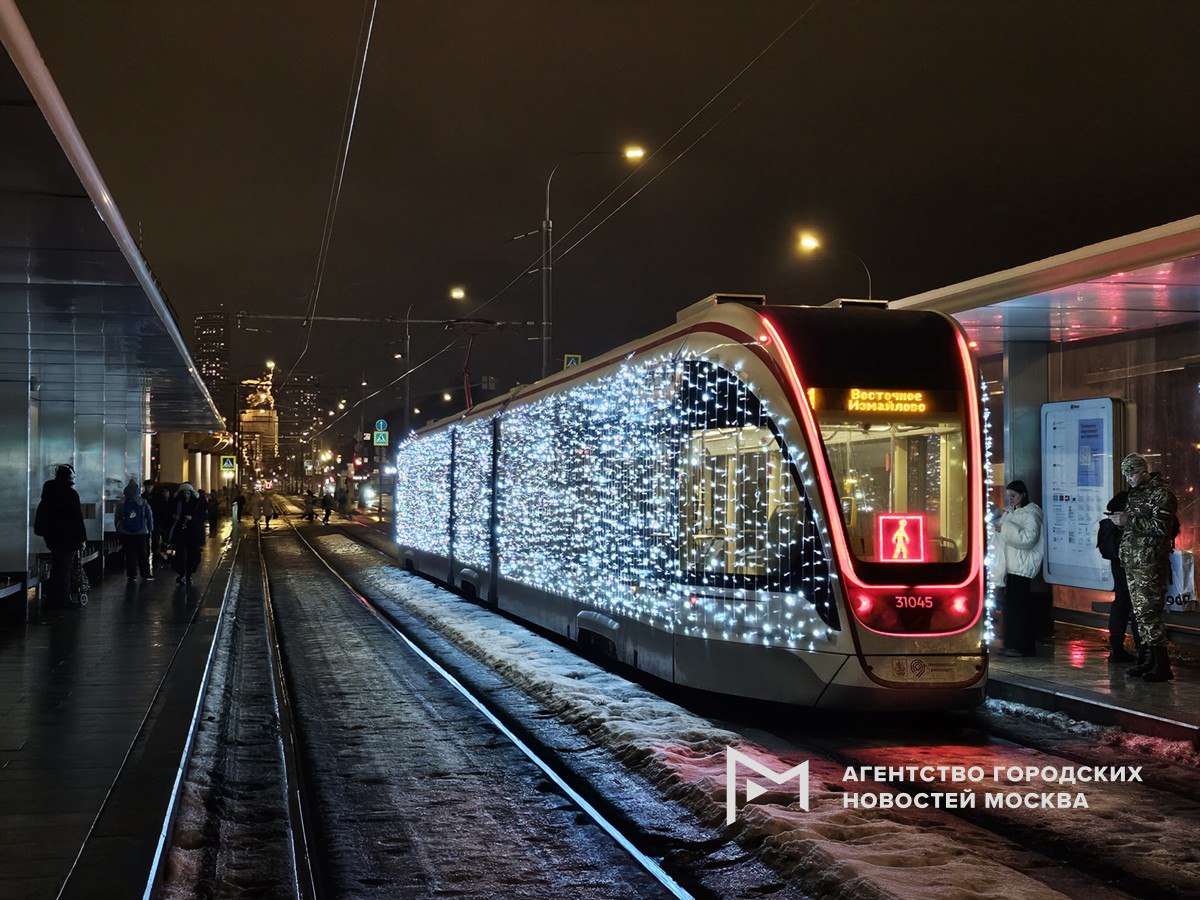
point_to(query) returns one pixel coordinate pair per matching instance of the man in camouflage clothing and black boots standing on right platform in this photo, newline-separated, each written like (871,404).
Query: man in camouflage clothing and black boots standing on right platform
(1145,553)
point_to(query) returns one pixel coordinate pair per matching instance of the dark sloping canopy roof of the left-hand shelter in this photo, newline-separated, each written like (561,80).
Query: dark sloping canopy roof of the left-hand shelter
(82,310)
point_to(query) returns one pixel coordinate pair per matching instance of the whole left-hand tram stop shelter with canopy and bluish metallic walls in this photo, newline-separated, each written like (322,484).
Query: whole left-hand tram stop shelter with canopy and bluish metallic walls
(92,358)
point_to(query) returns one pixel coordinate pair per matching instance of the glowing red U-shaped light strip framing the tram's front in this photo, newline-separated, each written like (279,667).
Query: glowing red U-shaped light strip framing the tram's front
(845,560)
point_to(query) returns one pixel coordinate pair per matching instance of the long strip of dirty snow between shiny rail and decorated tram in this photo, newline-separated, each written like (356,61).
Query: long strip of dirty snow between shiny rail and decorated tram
(831,850)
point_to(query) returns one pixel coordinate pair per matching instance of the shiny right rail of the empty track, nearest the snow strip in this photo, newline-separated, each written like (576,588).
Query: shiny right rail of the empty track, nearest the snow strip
(587,802)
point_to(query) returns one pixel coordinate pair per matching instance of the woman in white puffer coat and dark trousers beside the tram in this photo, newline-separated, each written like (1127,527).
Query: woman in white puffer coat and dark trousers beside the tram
(1021,554)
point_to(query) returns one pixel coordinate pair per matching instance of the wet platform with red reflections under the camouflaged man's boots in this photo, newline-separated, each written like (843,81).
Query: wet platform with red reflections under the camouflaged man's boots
(1071,675)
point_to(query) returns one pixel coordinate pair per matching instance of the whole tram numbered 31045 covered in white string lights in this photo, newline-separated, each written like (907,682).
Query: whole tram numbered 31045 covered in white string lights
(773,502)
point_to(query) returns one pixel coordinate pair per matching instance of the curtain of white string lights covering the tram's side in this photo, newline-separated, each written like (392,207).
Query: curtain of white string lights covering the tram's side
(662,493)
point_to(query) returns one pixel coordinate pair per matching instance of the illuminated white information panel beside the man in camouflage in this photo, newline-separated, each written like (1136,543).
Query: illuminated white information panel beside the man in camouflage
(1078,477)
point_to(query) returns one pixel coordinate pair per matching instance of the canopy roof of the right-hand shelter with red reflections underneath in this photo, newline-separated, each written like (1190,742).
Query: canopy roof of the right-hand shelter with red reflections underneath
(1138,283)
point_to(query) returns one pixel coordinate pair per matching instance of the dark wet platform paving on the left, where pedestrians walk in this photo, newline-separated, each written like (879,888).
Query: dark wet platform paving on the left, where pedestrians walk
(97,705)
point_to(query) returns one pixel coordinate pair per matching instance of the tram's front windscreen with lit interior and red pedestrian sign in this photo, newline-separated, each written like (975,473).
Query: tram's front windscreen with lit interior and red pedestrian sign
(904,488)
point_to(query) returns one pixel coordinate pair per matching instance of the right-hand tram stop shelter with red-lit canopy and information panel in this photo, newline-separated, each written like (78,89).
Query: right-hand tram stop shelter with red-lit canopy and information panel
(1118,321)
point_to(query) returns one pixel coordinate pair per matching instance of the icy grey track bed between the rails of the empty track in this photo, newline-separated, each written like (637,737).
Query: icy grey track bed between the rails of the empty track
(417,795)
